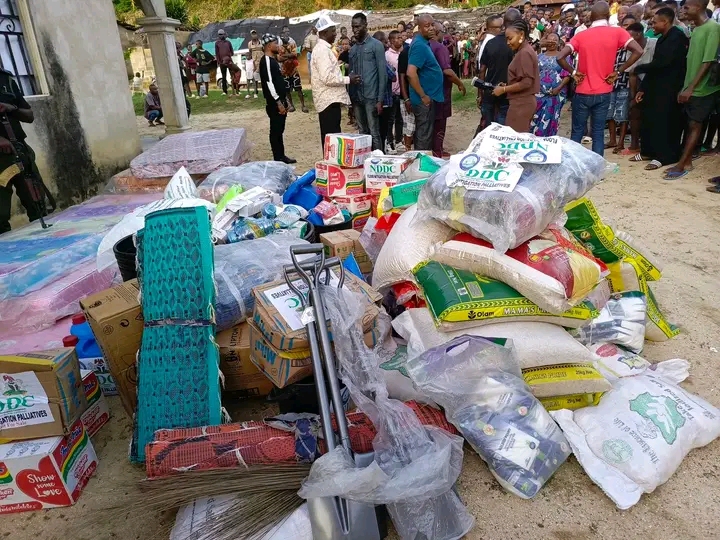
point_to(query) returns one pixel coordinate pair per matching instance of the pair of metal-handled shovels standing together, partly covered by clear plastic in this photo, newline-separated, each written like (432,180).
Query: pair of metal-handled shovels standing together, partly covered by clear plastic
(332,518)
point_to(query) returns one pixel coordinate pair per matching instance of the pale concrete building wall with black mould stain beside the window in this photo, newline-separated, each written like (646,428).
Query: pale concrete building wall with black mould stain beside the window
(84,129)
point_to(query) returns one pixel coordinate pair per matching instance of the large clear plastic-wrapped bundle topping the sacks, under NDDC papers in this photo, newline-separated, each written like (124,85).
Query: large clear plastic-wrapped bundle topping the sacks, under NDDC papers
(507,219)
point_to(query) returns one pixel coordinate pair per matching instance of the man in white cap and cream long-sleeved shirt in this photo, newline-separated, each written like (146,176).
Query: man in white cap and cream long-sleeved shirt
(328,82)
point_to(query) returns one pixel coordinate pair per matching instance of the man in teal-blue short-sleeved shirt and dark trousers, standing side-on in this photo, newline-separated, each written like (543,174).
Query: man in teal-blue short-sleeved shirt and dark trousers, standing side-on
(426,83)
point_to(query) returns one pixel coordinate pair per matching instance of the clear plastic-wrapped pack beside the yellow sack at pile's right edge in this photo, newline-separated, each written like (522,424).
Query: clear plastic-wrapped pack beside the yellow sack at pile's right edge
(621,321)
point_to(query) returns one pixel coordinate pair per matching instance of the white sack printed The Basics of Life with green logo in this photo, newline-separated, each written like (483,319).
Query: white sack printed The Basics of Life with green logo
(635,439)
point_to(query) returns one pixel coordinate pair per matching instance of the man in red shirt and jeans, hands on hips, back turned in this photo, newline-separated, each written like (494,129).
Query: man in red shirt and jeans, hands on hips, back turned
(596,48)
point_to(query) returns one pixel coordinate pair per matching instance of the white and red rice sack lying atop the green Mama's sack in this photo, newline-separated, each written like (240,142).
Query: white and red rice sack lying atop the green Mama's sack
(552,270)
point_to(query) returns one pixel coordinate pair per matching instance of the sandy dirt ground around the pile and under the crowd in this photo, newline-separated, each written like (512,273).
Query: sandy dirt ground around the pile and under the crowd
(680,223)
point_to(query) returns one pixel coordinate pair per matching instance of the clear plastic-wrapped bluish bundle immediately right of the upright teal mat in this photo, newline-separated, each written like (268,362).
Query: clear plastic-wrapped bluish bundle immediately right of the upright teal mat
(240,267)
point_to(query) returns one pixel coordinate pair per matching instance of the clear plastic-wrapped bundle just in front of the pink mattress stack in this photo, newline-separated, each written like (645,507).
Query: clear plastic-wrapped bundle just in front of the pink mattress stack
(271,175)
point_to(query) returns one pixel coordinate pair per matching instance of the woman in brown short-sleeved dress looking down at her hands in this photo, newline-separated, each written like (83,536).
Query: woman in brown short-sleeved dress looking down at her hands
(523,78)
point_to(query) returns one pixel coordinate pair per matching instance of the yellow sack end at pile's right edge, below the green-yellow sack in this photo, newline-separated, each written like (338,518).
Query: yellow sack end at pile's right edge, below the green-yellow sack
(627,275)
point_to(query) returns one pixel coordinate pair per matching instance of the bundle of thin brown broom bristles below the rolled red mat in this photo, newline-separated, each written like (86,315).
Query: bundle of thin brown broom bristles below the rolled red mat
(263,496)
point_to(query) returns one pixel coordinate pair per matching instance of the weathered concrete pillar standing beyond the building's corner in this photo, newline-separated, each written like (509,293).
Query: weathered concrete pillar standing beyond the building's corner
(161,37)
